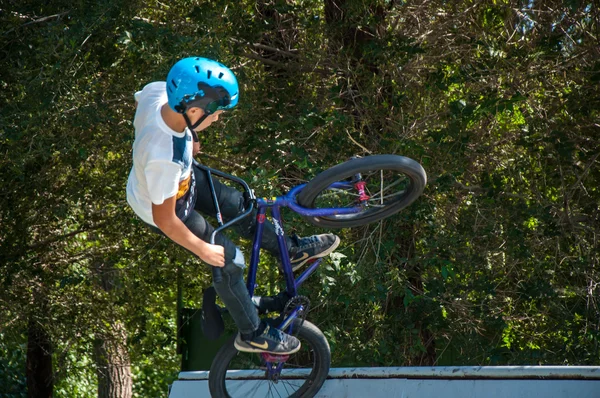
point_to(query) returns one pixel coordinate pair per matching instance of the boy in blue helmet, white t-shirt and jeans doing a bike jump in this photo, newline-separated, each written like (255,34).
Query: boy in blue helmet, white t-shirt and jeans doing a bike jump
(164,190)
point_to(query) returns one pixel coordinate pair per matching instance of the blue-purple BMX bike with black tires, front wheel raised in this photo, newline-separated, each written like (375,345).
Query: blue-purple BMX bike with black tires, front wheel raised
(356,192)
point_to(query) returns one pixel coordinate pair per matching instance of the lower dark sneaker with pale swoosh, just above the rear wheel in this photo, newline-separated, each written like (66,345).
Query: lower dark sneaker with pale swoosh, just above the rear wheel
(271,340)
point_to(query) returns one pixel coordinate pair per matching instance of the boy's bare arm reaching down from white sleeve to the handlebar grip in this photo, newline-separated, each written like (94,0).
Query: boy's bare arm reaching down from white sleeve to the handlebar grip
(166,220)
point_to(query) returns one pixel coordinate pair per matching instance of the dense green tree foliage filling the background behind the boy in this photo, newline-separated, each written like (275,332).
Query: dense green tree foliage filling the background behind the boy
(496,263)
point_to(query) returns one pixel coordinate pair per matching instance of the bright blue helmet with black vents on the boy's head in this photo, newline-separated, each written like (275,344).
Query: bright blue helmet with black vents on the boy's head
(203,83)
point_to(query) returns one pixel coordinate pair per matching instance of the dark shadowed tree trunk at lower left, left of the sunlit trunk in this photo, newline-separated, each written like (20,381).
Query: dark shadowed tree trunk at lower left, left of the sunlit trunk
(40,382)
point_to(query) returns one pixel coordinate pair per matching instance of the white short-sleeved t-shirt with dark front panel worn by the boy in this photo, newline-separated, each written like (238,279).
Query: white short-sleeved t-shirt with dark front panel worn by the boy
(162,158)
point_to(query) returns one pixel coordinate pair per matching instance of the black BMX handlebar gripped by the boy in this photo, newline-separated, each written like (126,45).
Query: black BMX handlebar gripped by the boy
(249,193)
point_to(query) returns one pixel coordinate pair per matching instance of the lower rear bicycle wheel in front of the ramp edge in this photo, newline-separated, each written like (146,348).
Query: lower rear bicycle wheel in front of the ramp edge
(302,375)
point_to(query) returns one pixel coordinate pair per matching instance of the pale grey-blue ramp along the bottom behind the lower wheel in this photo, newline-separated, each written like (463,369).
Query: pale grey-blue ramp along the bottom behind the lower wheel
(429,382)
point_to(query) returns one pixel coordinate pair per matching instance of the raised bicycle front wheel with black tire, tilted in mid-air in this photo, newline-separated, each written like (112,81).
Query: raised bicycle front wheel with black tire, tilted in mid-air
(391,183)
